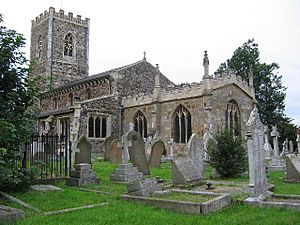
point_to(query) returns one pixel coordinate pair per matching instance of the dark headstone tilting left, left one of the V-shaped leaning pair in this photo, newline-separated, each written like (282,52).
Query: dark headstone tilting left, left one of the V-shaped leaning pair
(137,152)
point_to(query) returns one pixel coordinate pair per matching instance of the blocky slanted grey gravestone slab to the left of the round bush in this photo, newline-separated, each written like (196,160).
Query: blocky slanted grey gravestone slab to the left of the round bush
(185,171)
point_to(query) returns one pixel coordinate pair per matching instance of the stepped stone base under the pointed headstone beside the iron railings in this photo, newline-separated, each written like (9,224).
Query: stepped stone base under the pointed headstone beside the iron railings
(82,174)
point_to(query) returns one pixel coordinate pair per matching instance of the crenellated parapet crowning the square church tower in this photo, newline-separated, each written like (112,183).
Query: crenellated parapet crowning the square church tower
(59,15)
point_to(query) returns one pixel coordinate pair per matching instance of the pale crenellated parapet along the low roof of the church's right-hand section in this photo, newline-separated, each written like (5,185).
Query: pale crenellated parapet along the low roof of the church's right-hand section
(189,90)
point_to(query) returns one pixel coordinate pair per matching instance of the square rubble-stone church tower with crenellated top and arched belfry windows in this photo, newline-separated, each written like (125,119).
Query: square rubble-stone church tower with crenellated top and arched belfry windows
(59,48)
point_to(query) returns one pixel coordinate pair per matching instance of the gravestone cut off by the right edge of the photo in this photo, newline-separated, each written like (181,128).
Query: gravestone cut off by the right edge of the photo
(293,168)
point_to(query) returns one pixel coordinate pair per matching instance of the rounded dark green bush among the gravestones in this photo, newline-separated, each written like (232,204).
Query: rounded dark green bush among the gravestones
(227,154)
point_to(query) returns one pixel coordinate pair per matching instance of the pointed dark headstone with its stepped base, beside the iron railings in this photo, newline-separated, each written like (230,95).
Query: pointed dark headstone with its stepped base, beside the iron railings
(82,172)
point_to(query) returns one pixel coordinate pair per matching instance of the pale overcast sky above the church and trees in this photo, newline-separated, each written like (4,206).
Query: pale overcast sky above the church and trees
(175,34)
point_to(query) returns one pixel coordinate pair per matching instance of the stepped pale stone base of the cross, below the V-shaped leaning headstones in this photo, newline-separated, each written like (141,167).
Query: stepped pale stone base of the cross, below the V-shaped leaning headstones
(126,173)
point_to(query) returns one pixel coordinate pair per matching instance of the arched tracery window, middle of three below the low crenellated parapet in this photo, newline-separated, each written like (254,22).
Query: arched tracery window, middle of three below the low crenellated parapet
(182,125)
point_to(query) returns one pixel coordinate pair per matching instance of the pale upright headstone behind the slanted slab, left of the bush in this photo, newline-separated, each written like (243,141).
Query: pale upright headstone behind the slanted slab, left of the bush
(196,152)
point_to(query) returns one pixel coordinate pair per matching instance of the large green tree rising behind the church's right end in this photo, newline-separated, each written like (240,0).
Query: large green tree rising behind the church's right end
(269,90)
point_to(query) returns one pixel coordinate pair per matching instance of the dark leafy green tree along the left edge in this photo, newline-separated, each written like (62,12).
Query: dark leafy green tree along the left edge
(17,95)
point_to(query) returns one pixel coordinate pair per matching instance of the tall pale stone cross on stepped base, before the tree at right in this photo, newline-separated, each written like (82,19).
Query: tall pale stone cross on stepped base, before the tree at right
(276,163)
